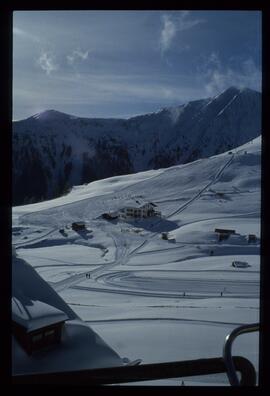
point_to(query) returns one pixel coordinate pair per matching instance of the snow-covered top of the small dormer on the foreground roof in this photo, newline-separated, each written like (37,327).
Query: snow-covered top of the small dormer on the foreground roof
(35,314)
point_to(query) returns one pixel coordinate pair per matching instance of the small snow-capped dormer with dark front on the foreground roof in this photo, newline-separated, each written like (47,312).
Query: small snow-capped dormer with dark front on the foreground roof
(36,325)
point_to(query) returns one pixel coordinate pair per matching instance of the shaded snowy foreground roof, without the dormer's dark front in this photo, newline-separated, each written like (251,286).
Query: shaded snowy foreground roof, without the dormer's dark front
(81,347)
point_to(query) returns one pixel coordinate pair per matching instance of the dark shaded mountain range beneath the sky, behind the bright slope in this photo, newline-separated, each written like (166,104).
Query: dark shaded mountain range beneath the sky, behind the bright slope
(58,150)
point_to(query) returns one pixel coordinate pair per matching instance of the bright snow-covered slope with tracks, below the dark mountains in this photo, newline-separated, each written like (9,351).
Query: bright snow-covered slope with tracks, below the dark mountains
(149,297)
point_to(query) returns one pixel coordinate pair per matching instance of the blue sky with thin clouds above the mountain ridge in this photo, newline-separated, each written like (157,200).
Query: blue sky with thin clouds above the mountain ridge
(124,63)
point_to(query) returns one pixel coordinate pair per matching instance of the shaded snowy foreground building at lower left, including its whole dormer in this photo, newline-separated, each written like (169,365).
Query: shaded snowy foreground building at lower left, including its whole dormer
(36,306)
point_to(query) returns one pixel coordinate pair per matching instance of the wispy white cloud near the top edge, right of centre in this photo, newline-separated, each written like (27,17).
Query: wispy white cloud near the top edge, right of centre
(174,24)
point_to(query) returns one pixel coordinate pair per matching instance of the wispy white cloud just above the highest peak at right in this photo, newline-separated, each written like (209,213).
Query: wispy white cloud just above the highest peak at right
(217,77)
